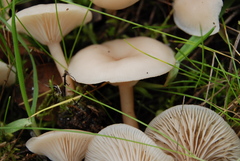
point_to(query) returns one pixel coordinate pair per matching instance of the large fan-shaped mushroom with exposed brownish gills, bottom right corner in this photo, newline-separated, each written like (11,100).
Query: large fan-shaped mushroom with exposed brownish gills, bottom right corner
(201,131)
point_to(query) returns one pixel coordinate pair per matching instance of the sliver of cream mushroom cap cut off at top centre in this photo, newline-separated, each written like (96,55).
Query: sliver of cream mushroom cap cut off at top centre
(114,4)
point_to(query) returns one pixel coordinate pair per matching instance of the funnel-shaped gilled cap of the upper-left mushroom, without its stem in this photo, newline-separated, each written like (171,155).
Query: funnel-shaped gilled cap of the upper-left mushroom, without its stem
(42,23)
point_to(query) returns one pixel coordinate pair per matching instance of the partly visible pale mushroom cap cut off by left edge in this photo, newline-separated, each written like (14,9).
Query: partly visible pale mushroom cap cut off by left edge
(8,76)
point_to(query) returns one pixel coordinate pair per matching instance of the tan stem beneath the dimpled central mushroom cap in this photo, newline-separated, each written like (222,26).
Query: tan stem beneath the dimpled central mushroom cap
(127,102)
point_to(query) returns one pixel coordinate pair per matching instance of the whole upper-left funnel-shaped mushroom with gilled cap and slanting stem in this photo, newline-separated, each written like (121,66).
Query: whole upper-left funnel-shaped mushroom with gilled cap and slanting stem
(47,25)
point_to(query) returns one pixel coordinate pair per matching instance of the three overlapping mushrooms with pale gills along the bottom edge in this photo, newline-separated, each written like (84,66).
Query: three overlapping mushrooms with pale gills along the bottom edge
(183,132)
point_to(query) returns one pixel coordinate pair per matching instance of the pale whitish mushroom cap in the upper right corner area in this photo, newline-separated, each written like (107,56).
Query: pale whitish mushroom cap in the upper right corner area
(198,17)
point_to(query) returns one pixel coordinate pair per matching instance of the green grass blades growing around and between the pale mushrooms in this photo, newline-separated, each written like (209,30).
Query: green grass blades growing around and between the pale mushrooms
(205,74)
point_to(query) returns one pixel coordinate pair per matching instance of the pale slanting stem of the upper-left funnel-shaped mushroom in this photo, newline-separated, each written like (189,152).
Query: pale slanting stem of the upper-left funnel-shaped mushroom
(60,61)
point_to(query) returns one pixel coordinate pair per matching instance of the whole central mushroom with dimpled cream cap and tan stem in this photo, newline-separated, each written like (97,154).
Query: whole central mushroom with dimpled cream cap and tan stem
(122,63)
